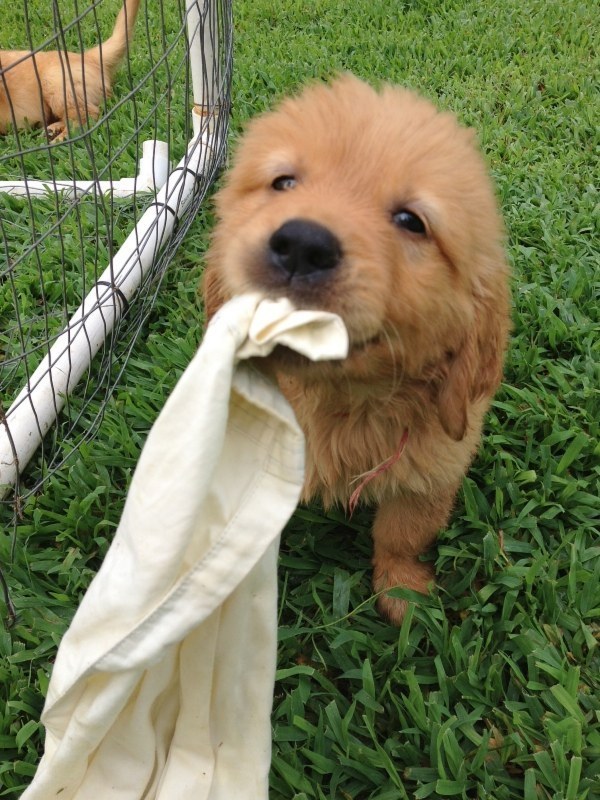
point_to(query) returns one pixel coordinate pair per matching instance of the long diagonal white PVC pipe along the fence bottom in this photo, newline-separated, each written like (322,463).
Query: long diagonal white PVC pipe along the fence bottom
(37,406)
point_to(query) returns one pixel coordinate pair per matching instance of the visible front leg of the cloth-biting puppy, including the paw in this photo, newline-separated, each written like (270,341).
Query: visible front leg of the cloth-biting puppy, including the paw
(405,526)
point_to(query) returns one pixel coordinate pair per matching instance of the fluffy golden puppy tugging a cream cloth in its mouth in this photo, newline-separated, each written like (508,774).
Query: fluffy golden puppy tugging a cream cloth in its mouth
(377,207)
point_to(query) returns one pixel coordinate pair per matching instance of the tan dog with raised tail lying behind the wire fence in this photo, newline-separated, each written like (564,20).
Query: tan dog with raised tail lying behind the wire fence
(47,88)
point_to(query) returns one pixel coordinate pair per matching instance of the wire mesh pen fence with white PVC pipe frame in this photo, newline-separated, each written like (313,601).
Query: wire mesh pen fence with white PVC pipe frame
(89,223)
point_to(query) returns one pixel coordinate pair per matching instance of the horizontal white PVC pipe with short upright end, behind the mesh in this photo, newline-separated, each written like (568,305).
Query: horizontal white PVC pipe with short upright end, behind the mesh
(152,175)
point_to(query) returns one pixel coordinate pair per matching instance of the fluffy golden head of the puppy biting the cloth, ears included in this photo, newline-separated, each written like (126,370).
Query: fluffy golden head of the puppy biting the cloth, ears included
(377,207)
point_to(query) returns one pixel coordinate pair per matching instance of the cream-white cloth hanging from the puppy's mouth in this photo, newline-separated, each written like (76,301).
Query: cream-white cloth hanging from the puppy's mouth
(163,684)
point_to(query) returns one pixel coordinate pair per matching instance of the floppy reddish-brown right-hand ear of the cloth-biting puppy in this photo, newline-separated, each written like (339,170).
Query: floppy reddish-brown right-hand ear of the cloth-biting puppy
(475,370)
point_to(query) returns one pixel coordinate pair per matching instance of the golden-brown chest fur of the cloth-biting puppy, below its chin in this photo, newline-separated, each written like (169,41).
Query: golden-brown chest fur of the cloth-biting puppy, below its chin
(349,438)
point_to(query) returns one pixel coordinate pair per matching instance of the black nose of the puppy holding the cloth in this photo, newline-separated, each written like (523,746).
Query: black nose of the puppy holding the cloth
(304,249)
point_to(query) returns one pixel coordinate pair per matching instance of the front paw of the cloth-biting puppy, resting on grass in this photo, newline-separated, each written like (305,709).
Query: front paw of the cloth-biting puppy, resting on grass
(391,572)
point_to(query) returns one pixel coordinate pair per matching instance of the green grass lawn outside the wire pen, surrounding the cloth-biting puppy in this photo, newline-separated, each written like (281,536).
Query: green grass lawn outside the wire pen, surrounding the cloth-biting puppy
(491,688)
